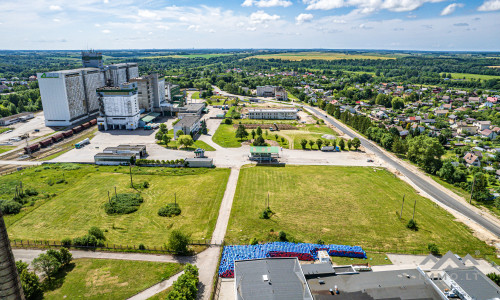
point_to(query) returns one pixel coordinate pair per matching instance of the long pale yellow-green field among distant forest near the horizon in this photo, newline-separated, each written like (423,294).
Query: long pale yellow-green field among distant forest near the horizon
(298,56)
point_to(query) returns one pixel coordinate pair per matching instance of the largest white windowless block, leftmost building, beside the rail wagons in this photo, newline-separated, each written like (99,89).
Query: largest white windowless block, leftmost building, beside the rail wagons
(69,96)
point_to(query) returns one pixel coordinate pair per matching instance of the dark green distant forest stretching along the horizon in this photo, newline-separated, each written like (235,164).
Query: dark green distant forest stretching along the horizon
(203,65)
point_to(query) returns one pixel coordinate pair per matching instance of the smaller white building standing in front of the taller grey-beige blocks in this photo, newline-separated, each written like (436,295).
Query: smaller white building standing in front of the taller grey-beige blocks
(119,107)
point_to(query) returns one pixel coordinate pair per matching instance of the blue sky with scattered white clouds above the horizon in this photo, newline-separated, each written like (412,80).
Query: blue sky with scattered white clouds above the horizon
(334,24)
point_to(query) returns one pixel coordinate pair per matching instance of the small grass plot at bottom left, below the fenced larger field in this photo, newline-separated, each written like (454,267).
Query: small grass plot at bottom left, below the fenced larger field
(109,279)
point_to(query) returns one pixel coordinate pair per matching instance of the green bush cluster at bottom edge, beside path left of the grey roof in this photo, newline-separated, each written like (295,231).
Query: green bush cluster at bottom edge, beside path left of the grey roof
(186,286)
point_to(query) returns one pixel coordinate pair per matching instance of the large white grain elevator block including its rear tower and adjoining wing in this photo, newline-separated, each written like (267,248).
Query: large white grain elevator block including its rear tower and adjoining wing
(69,96)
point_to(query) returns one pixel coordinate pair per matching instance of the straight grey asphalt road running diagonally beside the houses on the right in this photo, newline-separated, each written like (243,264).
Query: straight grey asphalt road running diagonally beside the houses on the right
(431,190)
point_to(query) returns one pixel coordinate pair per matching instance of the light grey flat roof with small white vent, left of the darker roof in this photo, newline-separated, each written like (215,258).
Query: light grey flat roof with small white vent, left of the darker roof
(271,278)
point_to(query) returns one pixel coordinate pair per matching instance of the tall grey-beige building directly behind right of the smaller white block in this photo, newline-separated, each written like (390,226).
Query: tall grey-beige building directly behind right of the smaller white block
(151,92)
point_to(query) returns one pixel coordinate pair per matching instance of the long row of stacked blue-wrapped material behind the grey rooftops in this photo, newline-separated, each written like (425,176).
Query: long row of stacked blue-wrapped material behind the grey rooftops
(303,251)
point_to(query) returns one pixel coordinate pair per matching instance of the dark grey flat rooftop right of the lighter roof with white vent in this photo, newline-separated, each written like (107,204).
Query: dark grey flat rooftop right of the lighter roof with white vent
(400,284)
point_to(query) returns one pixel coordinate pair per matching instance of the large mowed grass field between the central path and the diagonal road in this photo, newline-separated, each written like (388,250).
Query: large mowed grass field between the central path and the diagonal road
(342,205)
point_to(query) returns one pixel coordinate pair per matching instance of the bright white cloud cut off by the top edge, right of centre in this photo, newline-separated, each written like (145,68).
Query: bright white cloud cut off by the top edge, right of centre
(368,6)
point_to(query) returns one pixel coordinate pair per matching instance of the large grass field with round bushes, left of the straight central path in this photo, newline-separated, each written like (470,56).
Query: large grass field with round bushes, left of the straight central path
(73,207)
